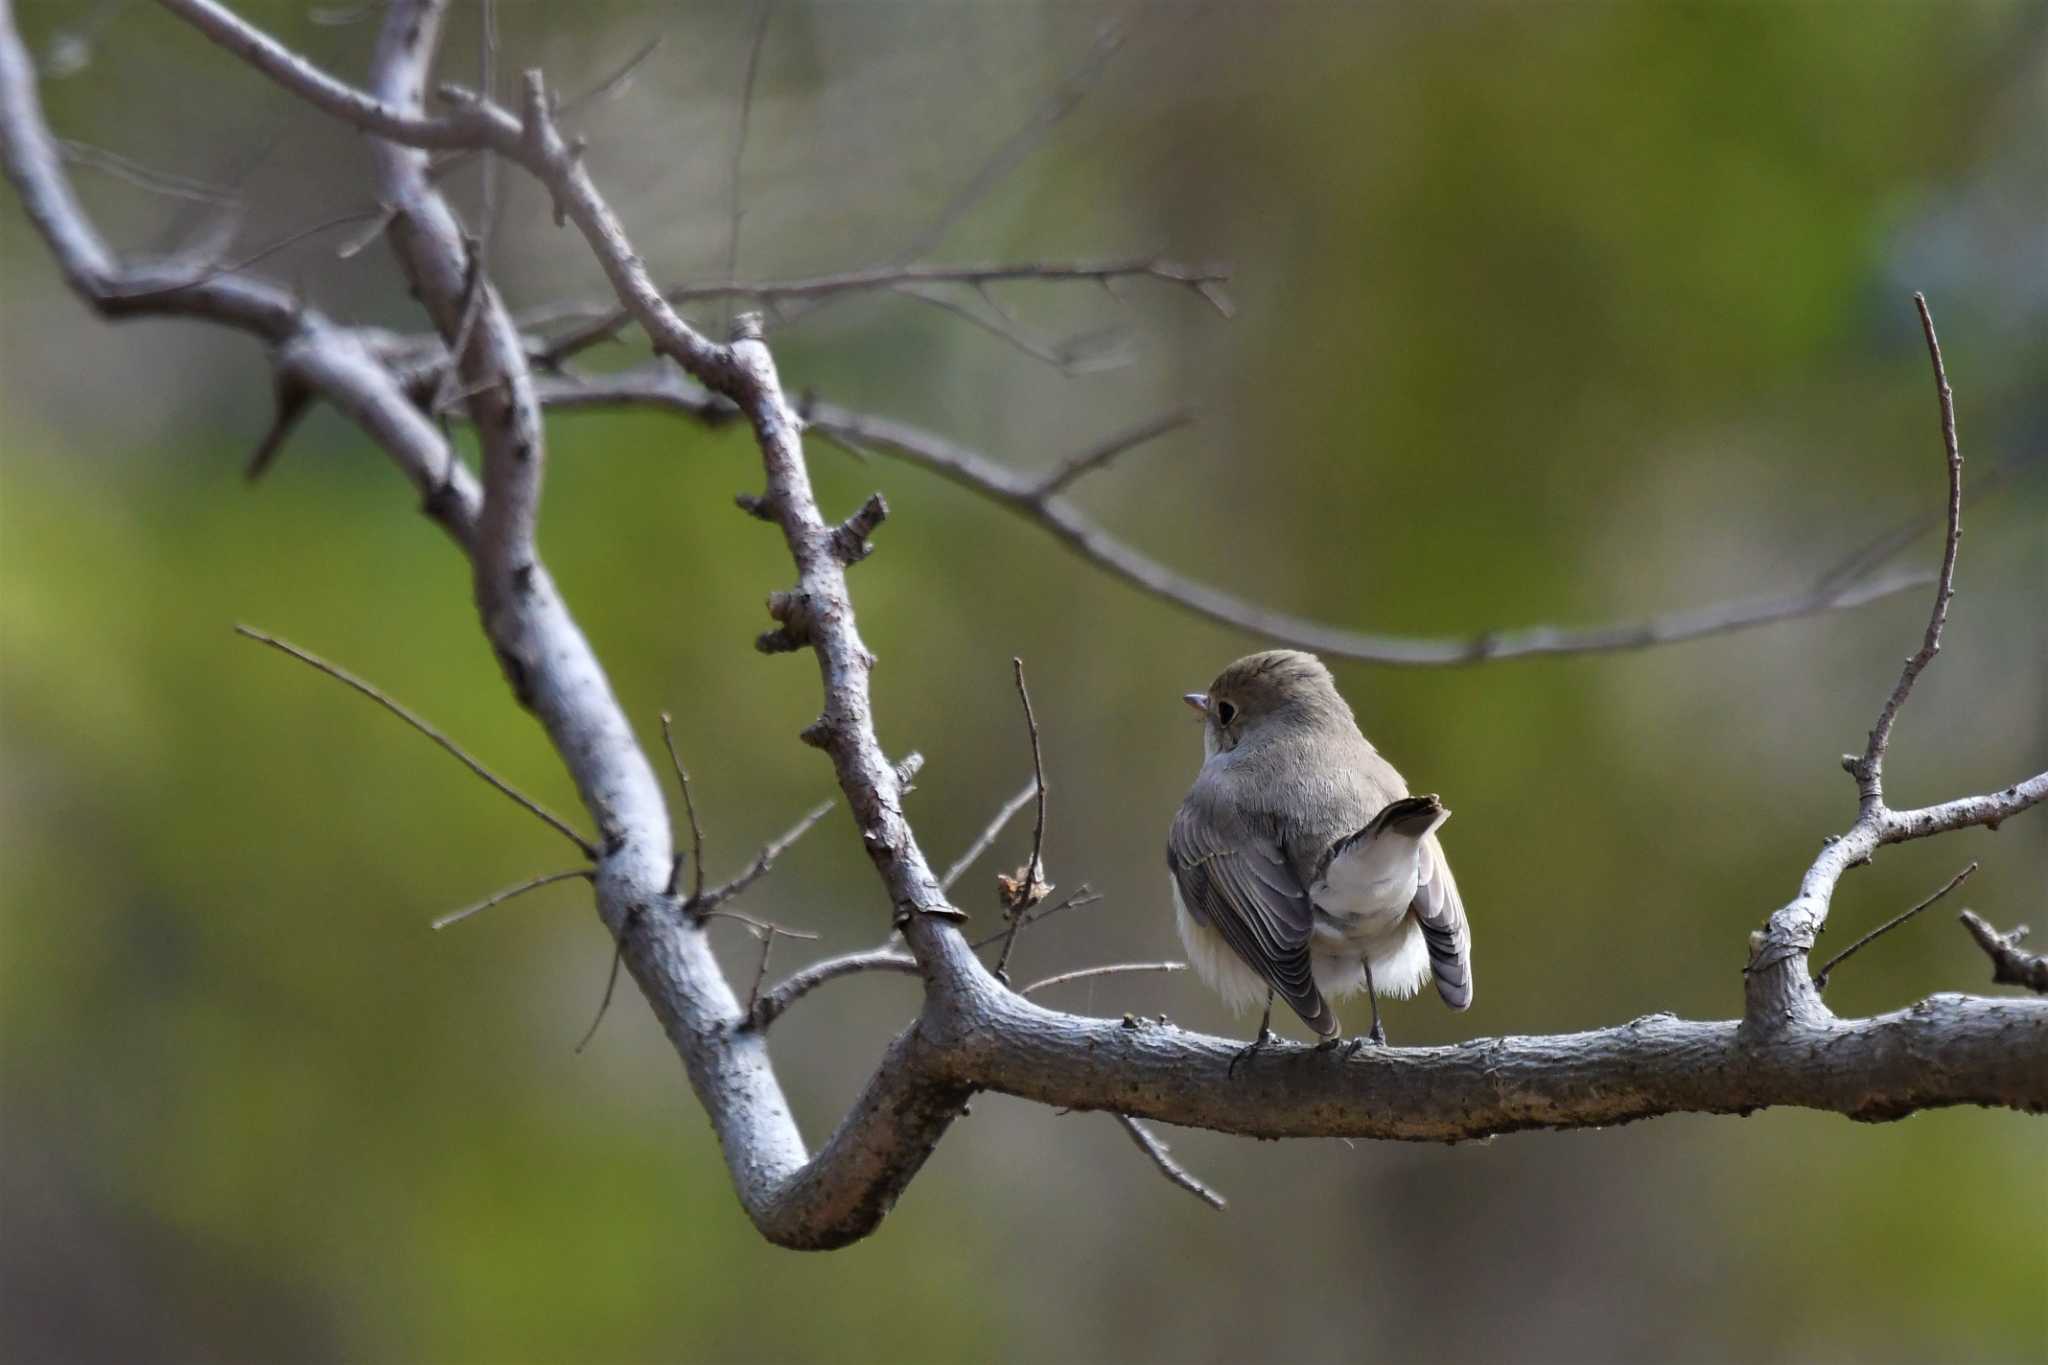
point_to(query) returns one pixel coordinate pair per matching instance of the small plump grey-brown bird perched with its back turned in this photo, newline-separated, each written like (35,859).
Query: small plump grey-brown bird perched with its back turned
(1302,865)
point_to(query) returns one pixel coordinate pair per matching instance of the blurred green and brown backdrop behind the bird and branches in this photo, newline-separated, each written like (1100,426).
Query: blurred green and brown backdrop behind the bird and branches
(1545,314)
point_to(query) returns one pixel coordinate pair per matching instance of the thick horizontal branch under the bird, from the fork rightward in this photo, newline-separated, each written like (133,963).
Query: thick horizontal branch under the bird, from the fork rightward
(1992,1053)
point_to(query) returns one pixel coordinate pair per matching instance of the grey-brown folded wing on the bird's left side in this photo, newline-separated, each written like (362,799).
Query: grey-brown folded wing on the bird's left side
(1238,881)
